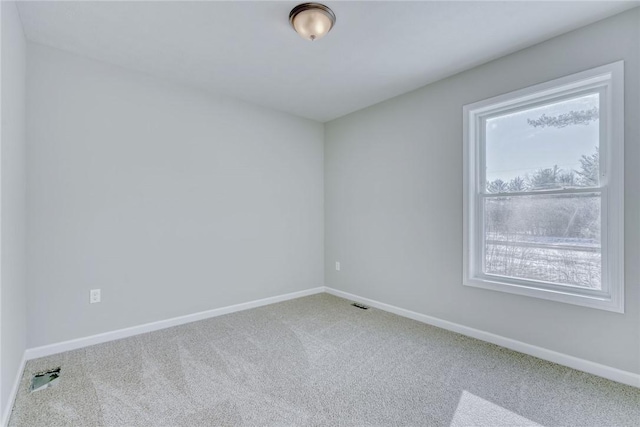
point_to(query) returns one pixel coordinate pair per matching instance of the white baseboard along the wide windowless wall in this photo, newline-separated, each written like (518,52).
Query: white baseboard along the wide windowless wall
(47,350)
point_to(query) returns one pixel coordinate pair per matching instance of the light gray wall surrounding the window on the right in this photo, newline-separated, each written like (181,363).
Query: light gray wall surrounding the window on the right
(393,201)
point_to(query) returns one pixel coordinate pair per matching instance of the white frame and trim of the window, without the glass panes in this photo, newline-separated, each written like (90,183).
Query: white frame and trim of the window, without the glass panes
(608,80)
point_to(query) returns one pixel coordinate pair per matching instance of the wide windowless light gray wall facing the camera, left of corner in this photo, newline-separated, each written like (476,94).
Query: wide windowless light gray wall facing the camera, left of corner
(169,200)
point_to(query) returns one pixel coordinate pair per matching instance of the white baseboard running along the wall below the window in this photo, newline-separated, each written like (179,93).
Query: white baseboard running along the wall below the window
(598,369)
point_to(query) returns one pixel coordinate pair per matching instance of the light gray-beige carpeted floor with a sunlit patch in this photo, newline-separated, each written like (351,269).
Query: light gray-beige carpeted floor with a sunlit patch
(315,361)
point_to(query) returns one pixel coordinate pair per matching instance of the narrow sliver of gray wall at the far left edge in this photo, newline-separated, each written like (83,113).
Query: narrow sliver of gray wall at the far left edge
(12,211)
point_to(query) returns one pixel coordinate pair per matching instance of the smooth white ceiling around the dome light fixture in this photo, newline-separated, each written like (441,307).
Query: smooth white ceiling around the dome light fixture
(247,50)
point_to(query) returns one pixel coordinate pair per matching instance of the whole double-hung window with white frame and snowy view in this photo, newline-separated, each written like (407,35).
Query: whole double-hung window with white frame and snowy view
(543,201)
